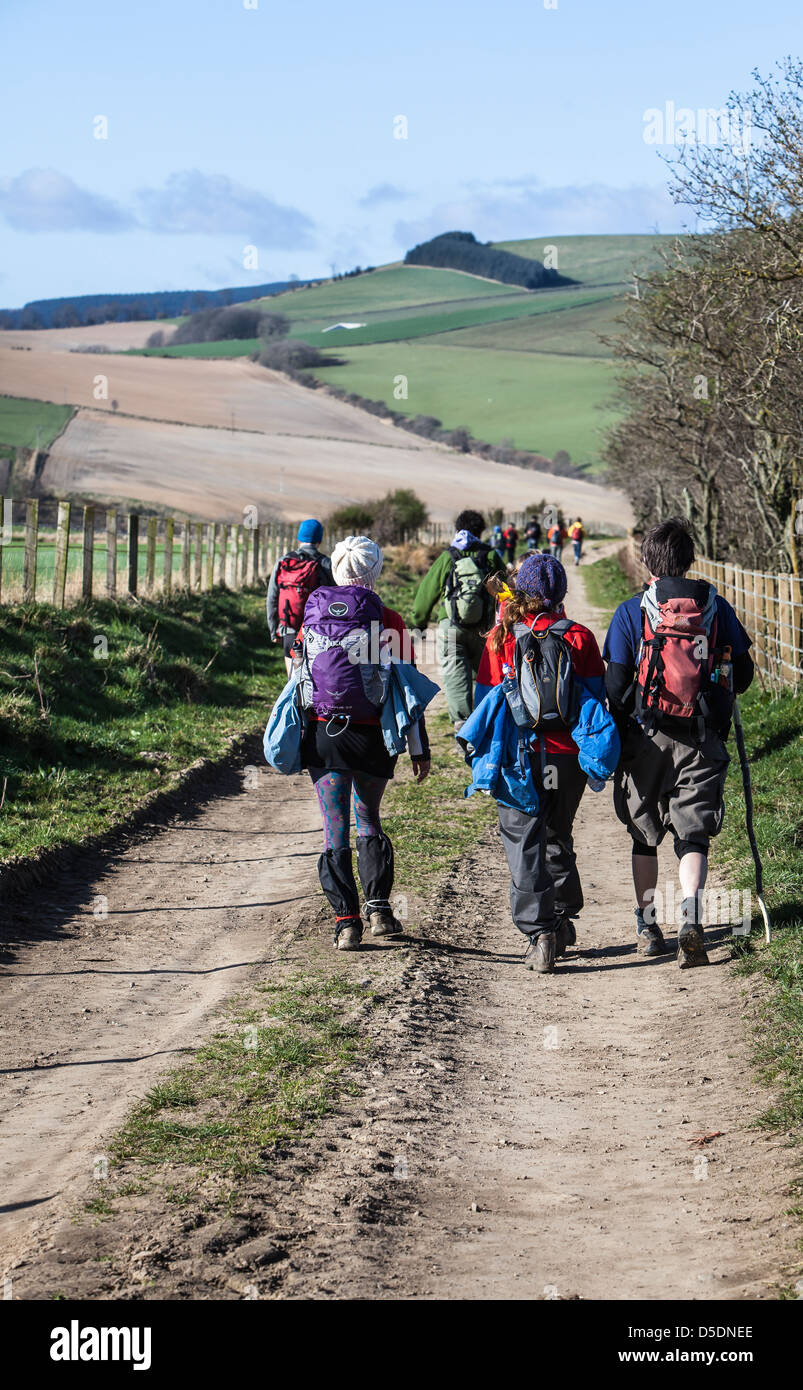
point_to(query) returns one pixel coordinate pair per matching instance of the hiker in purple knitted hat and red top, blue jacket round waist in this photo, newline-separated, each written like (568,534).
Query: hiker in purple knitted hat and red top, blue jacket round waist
(552,667)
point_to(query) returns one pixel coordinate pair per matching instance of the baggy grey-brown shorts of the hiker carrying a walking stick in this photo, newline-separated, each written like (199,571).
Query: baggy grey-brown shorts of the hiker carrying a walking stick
(672,785)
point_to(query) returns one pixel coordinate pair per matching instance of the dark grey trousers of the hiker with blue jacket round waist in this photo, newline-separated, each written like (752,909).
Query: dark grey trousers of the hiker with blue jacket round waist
(544,878)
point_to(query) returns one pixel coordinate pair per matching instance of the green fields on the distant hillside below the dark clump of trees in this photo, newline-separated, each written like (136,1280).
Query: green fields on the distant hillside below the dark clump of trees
(504,362)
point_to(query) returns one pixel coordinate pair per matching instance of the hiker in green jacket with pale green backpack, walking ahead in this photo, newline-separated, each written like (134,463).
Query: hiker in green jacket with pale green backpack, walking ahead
(458,582)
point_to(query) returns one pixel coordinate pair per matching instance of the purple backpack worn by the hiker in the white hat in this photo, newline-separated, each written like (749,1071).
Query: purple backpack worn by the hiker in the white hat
(341,671)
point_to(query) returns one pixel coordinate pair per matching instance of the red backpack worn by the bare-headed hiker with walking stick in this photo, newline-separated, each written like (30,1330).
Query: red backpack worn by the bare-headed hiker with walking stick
(677,651)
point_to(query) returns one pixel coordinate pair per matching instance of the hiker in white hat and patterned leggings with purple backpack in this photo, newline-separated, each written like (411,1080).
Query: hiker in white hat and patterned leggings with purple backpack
(344,747)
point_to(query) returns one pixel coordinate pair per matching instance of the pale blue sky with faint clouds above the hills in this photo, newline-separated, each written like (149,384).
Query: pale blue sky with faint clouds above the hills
(240,124)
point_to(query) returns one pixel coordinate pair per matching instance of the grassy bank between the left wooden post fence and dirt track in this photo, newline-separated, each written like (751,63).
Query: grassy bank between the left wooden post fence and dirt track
(109,703)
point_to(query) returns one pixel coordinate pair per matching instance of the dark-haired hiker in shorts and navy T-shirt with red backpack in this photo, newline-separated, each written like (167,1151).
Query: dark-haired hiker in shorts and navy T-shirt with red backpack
(677,654)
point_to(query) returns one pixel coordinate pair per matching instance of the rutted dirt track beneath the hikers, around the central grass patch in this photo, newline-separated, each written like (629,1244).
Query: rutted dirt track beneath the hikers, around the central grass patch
(519,1136)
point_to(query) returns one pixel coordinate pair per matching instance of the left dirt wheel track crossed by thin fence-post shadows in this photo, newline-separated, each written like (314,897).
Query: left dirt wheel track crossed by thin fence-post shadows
(115,974)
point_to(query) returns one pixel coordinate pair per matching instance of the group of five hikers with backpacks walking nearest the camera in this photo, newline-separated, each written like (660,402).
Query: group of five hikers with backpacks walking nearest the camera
(538,712)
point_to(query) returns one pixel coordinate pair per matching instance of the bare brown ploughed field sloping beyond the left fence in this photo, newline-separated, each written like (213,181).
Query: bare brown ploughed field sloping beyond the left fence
(210,437)
